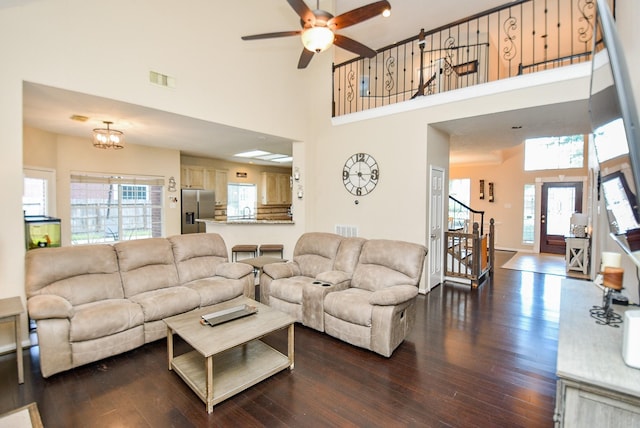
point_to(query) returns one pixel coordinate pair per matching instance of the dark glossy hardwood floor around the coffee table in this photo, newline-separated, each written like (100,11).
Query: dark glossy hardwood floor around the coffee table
(484,357)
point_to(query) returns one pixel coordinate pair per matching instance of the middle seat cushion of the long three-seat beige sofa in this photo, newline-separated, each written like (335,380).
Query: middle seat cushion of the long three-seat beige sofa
(166,302)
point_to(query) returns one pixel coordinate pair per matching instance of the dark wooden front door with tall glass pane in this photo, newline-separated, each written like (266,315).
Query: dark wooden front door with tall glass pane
(559,202)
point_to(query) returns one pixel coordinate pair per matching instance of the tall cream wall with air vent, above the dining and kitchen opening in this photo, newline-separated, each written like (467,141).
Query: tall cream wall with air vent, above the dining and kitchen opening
(108,50)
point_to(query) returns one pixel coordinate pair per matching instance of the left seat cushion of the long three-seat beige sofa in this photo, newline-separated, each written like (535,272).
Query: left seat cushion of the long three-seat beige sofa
(104,318)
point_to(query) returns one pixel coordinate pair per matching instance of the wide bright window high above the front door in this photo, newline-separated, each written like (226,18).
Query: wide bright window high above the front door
(554,153)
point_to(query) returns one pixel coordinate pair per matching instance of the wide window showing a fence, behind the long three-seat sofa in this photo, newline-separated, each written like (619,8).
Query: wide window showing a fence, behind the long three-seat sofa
(109,209)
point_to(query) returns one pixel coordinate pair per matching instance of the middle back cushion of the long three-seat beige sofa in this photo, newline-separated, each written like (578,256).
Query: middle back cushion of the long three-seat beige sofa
(146,265)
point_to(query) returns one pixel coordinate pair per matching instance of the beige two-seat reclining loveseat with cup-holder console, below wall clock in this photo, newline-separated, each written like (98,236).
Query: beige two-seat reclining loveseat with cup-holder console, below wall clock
(360,291)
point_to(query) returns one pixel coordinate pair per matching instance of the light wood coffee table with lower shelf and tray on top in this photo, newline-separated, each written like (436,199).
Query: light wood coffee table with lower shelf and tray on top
(230,357)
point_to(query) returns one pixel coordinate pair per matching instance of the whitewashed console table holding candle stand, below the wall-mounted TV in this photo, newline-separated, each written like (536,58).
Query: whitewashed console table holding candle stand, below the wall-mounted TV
(594,387)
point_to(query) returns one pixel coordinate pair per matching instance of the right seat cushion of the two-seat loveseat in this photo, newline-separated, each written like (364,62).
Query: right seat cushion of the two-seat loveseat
(350,305)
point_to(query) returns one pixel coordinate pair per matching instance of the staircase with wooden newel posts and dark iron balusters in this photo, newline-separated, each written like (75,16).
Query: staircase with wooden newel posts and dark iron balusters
(470,253)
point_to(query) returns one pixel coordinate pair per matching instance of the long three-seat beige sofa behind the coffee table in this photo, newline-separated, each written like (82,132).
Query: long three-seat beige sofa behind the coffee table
(91,302)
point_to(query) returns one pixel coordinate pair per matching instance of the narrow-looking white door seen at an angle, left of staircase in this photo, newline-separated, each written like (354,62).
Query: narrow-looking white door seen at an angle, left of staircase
(436,220)
